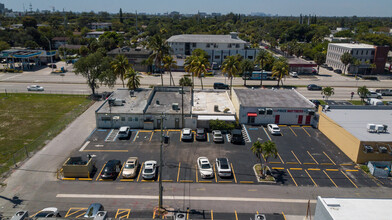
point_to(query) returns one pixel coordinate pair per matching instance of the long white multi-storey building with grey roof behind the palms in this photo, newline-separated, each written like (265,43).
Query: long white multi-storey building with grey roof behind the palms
(218,47)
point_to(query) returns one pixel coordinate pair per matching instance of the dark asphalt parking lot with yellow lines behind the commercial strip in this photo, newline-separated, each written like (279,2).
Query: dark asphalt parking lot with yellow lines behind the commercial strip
(305,157)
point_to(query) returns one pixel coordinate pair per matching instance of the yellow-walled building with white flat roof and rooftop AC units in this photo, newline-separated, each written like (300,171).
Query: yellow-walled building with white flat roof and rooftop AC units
(360,132)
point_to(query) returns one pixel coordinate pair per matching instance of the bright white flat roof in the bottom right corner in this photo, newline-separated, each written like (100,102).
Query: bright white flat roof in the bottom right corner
(346,208)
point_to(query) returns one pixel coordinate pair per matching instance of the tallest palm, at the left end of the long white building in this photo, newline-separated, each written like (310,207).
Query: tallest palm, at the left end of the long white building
(160,49)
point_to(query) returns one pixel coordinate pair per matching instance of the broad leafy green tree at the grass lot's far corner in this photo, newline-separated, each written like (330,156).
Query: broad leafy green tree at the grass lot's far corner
(96,69)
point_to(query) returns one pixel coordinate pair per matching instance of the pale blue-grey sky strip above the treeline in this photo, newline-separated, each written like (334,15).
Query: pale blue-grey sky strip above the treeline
(360,8)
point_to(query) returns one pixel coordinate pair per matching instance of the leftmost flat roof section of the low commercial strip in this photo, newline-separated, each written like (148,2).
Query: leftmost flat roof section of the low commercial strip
(133,104)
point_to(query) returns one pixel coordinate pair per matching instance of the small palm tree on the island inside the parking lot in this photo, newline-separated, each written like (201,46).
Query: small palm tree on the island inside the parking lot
(264,150)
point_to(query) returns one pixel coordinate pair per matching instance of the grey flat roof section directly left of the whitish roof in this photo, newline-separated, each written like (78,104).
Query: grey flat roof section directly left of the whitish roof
(166,100)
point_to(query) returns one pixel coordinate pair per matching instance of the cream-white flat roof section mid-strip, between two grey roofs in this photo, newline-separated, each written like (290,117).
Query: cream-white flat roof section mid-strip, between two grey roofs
(205,100)
